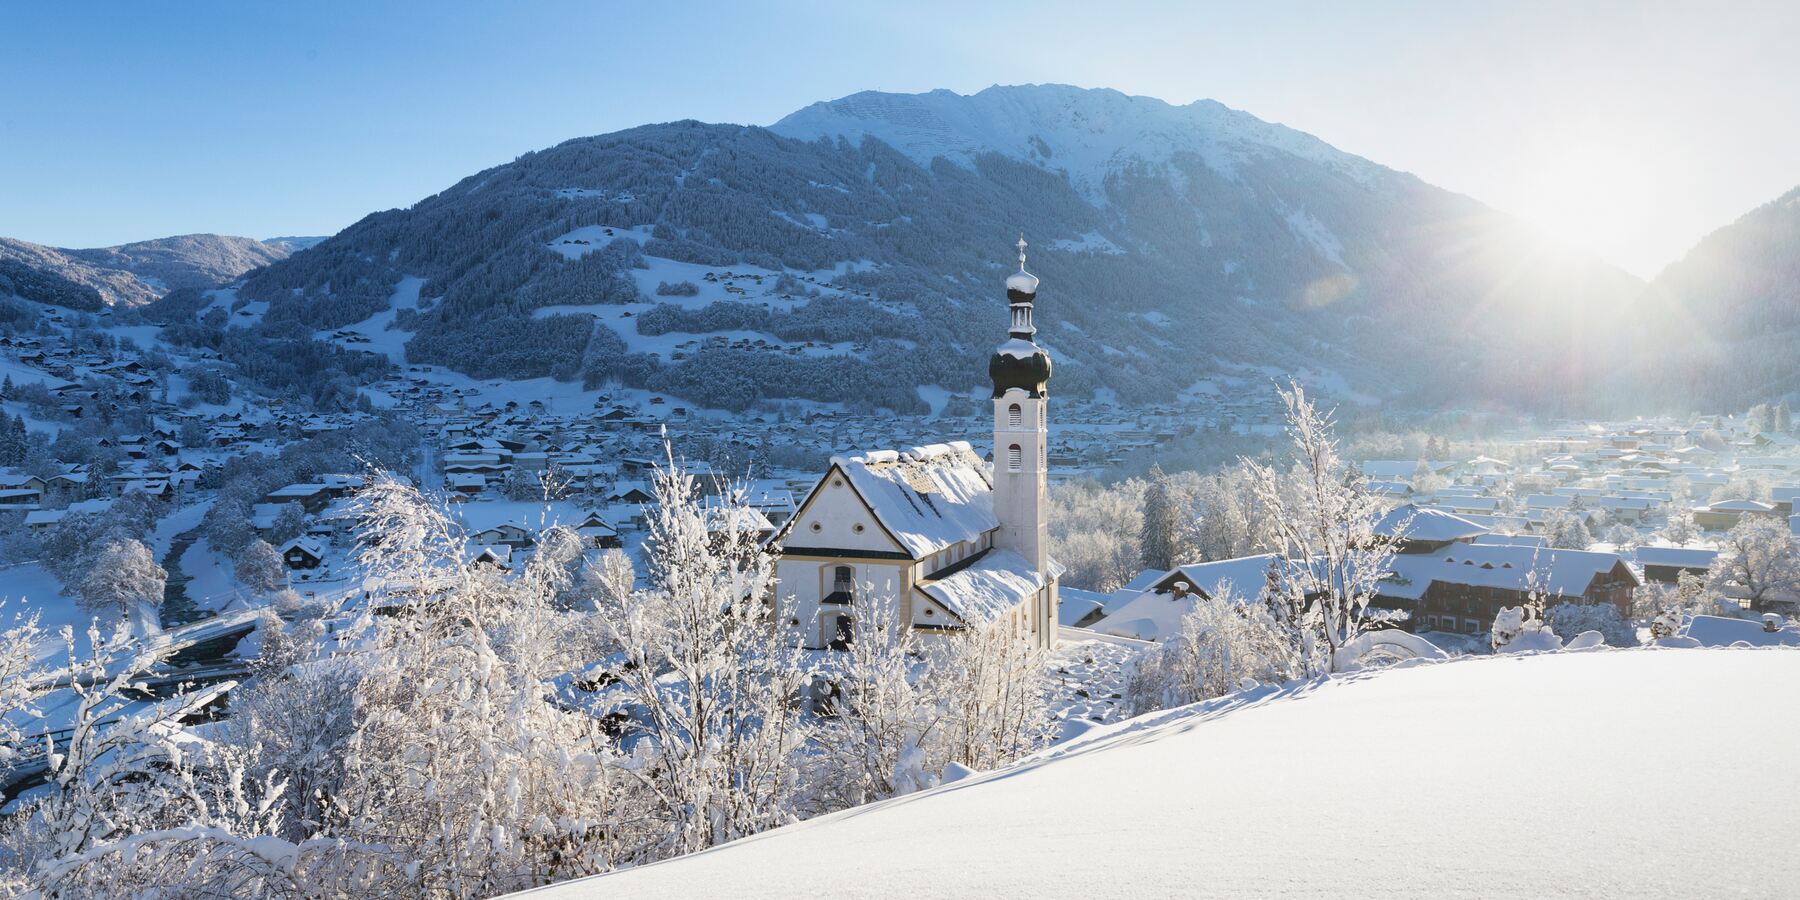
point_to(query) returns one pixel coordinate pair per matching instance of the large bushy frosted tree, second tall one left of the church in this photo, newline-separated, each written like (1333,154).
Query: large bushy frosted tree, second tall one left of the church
(458,760)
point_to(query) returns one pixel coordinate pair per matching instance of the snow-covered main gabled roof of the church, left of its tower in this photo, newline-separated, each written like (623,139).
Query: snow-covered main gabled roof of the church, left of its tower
(928,498)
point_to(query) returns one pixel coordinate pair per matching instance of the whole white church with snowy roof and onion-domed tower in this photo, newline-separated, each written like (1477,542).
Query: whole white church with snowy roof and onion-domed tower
(935,534)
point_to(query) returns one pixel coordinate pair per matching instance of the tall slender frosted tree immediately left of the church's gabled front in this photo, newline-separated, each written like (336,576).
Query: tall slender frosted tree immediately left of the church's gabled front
(708,674)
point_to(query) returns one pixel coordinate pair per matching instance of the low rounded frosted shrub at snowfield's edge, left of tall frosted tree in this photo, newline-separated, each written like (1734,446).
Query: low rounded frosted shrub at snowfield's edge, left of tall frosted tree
(1221,647)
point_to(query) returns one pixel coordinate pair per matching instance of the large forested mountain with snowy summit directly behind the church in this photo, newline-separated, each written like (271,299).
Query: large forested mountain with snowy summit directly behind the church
(868,237)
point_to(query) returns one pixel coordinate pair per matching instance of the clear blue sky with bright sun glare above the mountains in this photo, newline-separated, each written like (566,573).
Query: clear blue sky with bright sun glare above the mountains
(1626,129)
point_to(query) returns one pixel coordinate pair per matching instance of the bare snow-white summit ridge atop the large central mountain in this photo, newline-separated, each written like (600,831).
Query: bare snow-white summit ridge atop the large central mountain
(1086,134)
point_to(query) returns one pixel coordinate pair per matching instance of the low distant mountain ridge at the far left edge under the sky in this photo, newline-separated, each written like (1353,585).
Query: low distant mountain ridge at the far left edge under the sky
(145,271)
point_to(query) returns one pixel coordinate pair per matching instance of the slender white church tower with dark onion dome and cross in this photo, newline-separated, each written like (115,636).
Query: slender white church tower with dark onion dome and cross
(1021,390)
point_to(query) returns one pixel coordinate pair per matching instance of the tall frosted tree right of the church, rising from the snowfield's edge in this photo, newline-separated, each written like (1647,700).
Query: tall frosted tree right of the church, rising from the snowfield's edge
(1324,521)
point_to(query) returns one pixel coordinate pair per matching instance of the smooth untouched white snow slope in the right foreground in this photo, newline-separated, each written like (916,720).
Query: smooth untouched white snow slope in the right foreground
(1569,775)
